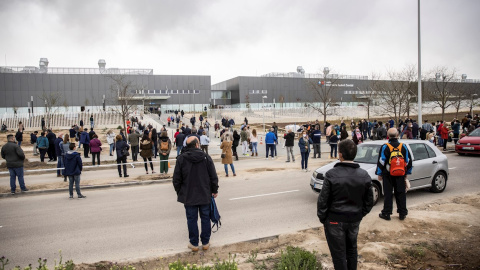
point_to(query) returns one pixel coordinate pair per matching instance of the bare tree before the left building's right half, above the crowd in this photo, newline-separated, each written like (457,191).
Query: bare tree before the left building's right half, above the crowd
(122,96)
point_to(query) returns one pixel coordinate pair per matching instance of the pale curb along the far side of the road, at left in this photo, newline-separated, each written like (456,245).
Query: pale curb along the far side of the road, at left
(113,185)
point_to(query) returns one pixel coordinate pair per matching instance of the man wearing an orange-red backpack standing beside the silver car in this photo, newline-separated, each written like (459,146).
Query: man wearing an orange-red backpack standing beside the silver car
(393,166)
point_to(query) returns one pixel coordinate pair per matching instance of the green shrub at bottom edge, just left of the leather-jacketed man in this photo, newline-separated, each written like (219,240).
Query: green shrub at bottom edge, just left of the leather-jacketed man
(295,258)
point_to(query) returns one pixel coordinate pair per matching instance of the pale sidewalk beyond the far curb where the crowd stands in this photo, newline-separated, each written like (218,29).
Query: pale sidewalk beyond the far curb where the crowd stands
(102,178)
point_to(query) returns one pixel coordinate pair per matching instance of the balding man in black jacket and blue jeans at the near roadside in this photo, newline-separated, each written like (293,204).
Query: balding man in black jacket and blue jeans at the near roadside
(195,181)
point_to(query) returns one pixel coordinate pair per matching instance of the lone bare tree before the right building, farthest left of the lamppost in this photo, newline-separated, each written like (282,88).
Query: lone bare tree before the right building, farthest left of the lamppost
(323,92)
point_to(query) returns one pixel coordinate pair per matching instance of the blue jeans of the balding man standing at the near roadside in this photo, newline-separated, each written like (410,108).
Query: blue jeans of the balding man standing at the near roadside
(192,212)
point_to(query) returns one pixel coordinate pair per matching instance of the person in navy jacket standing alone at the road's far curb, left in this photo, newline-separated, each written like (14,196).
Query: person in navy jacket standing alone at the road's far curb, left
(73,169)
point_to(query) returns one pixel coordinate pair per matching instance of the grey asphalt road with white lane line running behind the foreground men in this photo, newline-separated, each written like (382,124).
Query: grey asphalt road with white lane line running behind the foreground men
(146,221)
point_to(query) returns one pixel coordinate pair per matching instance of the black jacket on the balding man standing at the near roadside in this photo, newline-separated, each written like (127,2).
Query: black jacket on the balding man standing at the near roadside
(195,178)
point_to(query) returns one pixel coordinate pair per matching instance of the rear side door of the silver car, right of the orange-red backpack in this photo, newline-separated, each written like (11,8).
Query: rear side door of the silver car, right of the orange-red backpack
(423,165)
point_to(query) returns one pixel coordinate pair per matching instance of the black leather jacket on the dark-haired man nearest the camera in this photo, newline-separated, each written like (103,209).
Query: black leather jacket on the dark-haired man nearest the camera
(346,194)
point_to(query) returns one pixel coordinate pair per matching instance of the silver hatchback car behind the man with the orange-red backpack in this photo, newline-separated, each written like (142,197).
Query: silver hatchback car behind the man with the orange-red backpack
(430,166)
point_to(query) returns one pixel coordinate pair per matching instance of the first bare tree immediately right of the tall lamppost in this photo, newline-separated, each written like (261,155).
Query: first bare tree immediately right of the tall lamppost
(440,90)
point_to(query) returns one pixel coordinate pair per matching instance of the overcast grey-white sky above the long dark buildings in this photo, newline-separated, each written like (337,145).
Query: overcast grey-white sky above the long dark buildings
(228,38)
